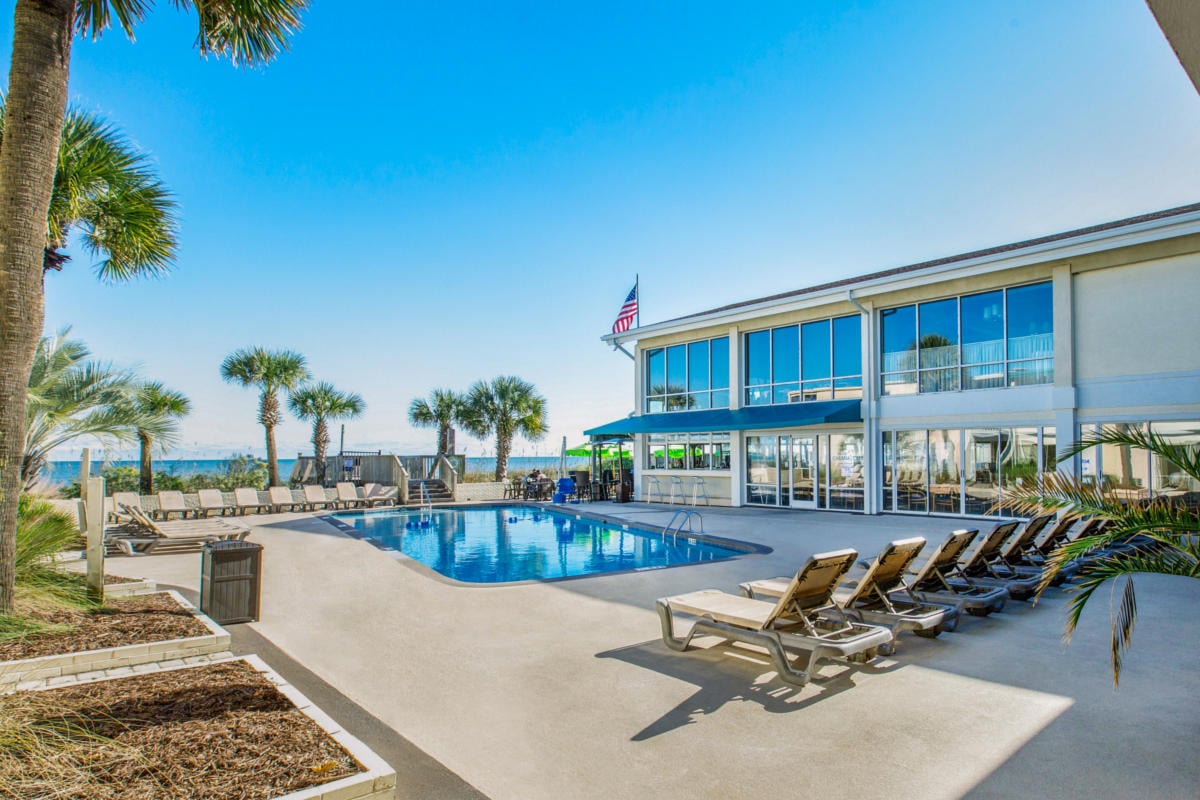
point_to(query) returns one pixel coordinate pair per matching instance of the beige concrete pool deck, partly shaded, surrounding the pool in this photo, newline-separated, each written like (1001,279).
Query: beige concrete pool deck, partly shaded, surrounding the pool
(565,689)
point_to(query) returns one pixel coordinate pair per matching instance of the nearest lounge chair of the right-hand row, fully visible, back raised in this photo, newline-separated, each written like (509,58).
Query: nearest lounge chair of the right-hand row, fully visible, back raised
(805,619)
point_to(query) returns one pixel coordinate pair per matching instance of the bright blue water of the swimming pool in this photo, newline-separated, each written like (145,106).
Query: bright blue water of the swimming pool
(499,545)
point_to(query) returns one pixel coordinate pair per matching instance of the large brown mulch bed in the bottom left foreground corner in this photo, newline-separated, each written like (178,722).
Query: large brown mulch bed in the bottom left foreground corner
(215,732)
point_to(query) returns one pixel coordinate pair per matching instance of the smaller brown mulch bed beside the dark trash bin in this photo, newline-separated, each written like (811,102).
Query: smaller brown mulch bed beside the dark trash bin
(125,621)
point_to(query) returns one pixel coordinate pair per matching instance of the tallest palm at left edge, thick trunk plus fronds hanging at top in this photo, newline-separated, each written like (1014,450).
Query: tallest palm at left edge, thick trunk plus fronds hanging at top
(249,32)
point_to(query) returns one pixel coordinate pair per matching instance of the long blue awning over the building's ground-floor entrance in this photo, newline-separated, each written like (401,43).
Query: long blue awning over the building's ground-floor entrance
(755,418)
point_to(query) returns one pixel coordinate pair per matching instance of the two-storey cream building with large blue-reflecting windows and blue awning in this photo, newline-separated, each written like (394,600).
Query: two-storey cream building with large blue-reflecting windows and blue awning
(932,388)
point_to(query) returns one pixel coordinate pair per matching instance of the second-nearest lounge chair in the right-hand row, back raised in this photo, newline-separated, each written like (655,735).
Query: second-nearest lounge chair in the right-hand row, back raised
(880,597)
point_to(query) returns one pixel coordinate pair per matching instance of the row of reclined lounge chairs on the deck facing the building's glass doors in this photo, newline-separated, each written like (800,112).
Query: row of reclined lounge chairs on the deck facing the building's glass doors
(821,613)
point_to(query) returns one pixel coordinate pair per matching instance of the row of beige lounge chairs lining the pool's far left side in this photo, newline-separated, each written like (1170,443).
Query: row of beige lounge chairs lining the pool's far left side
(208,503)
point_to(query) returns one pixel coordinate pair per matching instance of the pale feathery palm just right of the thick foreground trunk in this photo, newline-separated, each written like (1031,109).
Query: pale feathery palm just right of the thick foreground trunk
(71,398)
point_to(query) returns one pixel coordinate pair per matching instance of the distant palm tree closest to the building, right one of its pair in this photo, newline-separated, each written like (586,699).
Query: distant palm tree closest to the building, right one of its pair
(505,407)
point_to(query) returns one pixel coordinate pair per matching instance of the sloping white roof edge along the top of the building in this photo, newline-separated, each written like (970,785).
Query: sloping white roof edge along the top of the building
(1089,236)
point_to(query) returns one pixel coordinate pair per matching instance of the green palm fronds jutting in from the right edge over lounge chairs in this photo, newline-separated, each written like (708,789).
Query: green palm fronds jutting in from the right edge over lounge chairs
(1159,538)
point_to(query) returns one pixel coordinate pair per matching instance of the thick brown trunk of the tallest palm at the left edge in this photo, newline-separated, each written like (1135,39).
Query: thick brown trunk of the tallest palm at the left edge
(37,105)
